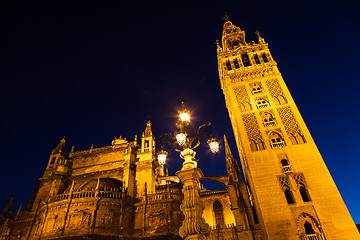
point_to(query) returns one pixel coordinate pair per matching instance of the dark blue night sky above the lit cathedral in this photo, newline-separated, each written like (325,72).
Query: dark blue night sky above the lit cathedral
(92,71)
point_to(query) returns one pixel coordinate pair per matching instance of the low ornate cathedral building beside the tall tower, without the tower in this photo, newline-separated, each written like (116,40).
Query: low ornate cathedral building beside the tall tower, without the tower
(121,192)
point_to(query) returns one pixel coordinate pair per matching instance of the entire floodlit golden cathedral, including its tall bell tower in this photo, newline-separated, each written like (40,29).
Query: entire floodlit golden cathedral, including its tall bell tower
(121,191)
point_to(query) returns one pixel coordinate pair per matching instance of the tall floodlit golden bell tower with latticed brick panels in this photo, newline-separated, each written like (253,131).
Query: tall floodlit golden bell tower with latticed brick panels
(290,186)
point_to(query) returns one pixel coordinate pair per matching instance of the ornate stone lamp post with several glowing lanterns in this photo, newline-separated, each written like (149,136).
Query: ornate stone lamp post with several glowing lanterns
(184,141)
